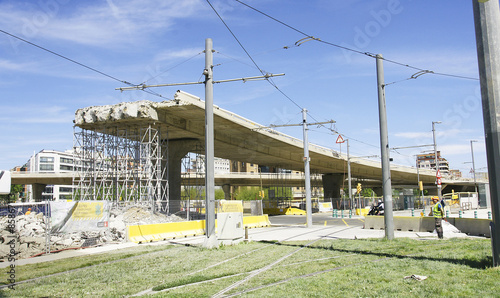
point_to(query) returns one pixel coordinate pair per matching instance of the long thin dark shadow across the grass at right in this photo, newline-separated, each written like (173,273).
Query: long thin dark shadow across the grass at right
(484,263)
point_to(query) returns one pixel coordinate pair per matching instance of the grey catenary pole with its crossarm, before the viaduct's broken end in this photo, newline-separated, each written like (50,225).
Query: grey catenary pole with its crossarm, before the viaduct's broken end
(211,239)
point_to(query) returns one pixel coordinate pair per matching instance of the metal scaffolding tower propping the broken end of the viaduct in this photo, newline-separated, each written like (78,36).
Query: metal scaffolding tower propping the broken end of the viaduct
(122,164)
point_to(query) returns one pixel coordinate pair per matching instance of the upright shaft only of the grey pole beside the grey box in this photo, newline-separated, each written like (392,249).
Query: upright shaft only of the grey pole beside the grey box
(211,240)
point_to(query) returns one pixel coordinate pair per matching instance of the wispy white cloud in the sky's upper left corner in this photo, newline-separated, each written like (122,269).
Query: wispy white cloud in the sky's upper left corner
(104,25)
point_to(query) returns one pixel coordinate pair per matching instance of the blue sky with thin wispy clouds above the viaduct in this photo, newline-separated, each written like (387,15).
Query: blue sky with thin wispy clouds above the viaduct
(162,42)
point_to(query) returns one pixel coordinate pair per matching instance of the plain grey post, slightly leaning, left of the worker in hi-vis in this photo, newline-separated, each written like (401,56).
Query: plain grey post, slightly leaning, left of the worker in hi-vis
(384,148)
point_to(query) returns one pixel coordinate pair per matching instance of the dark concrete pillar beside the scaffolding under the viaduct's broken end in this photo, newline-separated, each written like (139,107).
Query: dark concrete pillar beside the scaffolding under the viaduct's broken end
(176,150)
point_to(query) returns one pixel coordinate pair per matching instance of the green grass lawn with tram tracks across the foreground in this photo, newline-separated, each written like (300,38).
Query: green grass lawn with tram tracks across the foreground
(364,267)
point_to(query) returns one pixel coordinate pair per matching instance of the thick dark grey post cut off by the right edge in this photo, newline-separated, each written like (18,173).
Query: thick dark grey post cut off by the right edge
(487,24)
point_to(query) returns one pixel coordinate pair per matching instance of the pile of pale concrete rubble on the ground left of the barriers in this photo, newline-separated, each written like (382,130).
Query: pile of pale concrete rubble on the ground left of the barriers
(31,237)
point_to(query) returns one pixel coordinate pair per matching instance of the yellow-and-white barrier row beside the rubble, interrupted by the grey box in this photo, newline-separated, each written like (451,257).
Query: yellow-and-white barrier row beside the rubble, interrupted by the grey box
(172,230)
